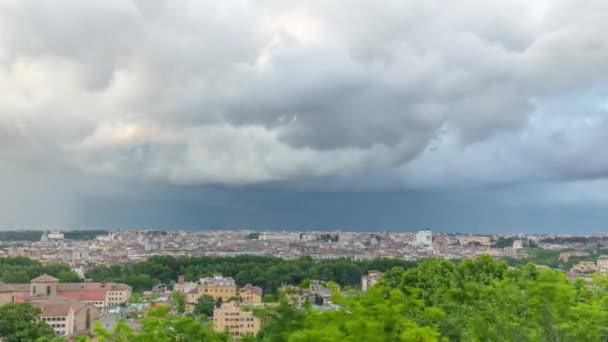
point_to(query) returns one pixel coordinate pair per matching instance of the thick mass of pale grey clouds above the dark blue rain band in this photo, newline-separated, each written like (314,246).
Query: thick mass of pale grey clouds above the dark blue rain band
(208,92)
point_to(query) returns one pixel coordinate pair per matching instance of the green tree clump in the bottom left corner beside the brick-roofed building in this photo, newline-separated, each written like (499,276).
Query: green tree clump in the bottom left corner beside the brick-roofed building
(20,323)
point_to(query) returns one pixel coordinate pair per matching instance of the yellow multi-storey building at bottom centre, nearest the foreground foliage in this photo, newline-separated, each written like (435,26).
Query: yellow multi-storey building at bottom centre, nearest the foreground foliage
(238,322)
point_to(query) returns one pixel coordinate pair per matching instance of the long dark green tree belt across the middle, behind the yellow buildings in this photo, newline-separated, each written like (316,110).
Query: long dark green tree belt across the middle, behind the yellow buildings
(267,272)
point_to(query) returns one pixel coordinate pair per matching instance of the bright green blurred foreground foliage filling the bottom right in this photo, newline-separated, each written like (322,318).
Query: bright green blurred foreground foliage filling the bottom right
(476,300)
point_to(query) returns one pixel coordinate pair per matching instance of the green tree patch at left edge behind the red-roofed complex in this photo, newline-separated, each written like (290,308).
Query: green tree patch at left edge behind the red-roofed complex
(22,270)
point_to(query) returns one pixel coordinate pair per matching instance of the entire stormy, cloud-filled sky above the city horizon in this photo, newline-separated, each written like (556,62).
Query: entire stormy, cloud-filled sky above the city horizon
(460,116)
